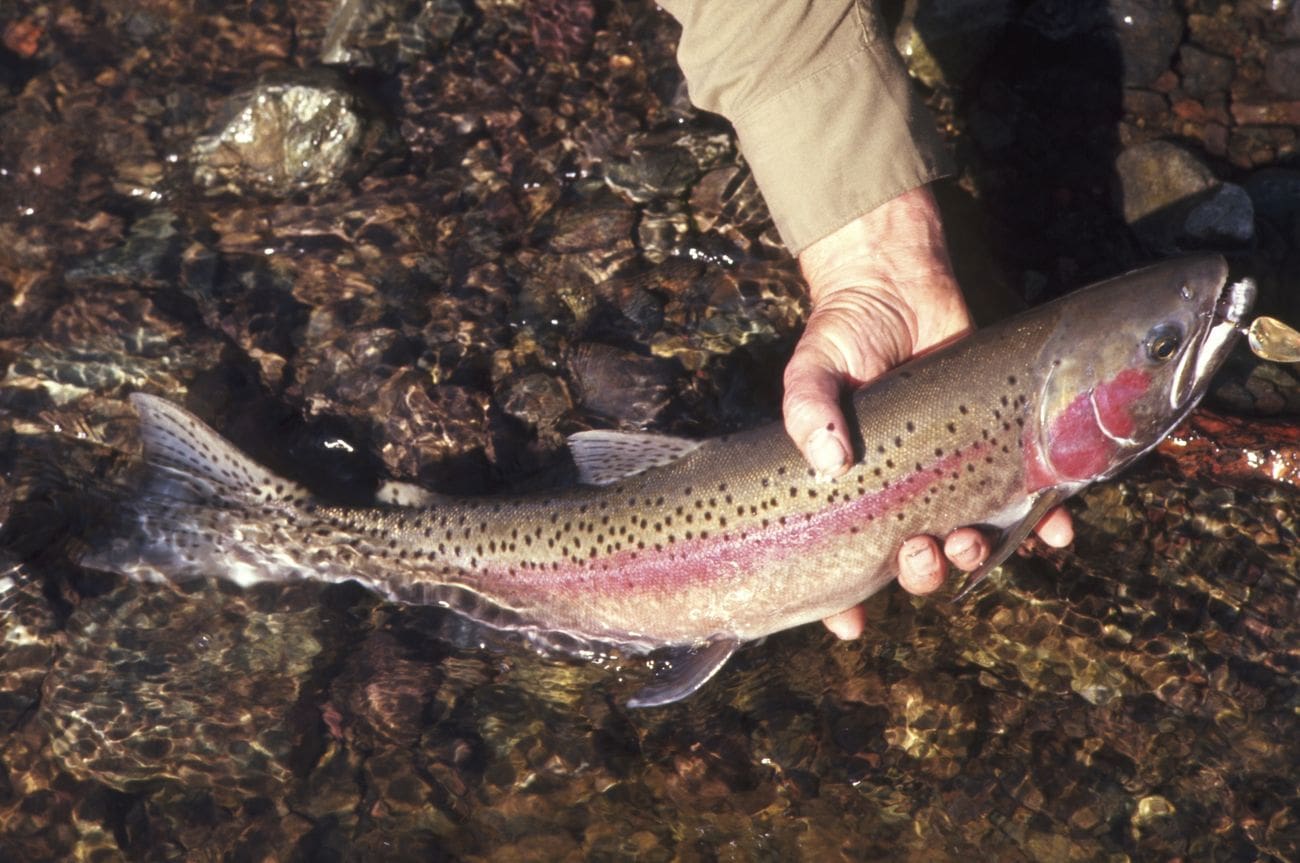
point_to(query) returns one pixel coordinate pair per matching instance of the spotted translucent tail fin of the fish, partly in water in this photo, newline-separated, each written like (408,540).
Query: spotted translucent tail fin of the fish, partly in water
(202,508)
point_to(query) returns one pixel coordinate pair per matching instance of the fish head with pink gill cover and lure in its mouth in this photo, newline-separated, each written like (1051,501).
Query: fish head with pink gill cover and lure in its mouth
(1128,361)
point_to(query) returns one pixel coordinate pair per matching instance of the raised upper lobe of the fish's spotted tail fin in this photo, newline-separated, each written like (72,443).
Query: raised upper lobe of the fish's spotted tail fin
(194,463)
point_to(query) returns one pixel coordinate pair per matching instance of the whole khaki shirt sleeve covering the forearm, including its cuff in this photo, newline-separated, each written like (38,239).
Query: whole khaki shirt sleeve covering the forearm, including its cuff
(821,102)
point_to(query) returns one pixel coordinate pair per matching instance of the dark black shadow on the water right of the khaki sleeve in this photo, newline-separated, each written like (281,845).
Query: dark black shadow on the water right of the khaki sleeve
(1035,93)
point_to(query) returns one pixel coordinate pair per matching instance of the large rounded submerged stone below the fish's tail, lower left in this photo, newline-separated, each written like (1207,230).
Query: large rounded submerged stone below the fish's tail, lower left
(228,675)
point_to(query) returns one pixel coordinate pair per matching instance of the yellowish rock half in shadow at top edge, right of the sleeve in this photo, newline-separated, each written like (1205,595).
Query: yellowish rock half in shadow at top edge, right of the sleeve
(943,42)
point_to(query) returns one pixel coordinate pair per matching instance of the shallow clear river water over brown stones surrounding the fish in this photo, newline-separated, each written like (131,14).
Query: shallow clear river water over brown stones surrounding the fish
(426,242)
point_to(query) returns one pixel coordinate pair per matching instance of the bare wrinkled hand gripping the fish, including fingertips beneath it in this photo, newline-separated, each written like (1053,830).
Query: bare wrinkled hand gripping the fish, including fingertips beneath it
(882,290)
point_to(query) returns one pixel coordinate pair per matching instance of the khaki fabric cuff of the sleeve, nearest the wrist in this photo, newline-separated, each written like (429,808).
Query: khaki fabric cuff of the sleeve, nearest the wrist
(839,144)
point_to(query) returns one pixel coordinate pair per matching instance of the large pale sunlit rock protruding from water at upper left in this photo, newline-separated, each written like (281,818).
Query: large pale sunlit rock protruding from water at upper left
(289,133)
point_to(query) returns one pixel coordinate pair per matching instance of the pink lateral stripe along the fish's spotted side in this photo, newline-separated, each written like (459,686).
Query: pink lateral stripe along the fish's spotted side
(691,561)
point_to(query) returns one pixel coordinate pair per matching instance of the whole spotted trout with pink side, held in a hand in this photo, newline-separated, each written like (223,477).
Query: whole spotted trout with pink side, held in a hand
(707,545)
